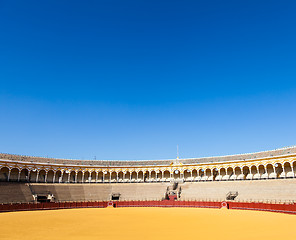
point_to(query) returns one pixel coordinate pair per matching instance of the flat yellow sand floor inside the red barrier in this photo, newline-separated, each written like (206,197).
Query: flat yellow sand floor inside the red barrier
(147,223)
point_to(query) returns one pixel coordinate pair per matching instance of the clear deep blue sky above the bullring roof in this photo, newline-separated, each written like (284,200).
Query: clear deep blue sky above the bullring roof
(132,79)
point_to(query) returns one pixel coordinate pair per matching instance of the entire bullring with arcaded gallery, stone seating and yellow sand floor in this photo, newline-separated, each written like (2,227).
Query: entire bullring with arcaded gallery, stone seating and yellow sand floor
(237,196)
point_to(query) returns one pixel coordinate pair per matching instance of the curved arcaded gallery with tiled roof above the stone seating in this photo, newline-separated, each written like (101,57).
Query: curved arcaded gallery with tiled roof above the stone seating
(280,163)
